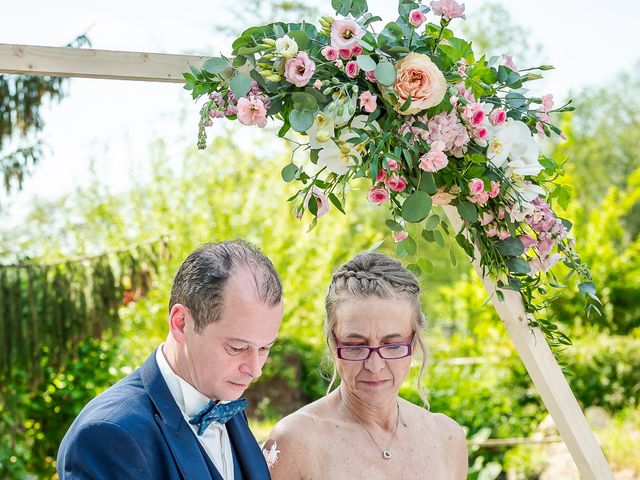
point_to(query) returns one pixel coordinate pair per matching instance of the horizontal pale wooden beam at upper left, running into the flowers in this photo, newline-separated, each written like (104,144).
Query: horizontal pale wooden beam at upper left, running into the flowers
(88,63)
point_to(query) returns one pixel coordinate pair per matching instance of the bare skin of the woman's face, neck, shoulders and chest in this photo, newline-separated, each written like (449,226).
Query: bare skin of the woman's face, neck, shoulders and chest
(323,439)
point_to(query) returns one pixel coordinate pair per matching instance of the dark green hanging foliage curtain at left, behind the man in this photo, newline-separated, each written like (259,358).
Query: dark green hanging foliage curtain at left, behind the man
(47,310)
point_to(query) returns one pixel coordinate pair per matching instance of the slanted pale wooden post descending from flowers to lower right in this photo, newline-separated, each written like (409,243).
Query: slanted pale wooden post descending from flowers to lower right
(546,375)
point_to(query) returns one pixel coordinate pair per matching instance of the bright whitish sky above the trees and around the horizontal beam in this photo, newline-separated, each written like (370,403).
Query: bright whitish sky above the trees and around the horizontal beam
(107,126)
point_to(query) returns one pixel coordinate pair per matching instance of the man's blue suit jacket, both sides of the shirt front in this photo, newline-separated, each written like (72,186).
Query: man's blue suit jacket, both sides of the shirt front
(134,429)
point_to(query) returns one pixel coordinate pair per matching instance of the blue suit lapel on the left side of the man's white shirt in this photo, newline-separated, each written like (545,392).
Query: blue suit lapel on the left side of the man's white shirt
(180,438)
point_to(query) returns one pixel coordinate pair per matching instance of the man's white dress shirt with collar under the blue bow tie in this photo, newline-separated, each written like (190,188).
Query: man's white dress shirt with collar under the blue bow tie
(215,439)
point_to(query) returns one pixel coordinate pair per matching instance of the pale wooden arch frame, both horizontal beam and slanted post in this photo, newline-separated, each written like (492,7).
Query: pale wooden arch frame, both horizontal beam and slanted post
(530,343)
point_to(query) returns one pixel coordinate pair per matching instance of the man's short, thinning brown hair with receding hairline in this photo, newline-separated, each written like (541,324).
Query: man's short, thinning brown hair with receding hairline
(201,279)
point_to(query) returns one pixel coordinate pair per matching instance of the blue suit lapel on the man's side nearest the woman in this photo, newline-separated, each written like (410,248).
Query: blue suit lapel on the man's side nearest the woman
(248,454)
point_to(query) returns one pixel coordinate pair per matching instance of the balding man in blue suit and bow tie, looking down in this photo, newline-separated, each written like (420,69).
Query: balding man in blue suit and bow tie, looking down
(180,415)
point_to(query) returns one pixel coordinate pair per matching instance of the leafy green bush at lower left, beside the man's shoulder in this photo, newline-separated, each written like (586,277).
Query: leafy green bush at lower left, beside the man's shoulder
(33,422)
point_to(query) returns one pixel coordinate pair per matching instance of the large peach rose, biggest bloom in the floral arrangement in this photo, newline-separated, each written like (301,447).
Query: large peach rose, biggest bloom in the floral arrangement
(417,76)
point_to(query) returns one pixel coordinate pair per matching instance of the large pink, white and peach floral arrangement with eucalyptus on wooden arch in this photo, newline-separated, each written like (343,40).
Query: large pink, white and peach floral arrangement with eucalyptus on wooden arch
(415,112)
